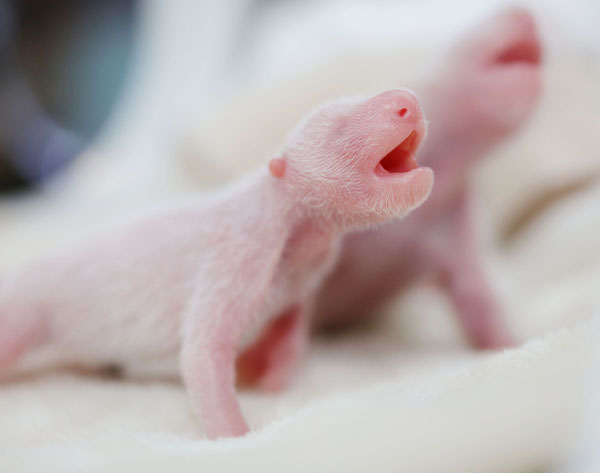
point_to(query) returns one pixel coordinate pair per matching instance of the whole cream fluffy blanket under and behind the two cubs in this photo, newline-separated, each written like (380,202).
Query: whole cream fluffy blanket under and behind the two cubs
(403,395)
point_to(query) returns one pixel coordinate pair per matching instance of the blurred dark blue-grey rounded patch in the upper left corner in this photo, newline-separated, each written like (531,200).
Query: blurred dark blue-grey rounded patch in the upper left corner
(62,66)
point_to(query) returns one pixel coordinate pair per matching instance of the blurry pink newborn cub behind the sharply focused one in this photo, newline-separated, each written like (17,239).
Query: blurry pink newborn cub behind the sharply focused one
(486,90)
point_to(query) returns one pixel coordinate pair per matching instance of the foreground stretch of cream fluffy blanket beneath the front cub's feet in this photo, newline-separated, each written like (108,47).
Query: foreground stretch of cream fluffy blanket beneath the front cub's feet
(507,412)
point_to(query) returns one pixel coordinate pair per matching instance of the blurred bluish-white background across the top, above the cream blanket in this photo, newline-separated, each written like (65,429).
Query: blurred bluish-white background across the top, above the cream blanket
(192,58)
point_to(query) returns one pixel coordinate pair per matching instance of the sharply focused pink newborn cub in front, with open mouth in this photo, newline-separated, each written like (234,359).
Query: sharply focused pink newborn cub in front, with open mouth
(229,277)
